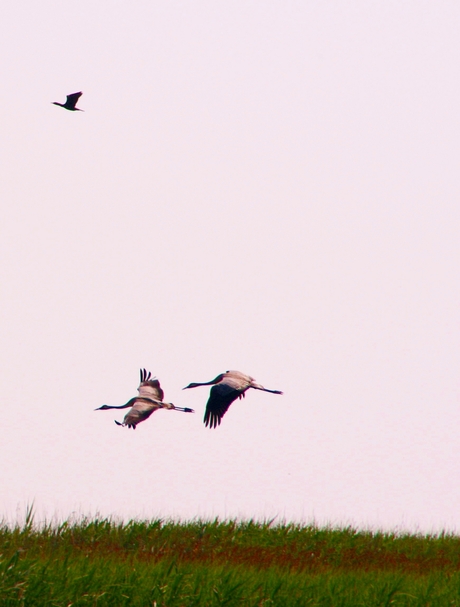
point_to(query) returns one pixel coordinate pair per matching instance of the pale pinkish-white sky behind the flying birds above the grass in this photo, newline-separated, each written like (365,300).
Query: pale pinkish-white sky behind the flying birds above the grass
(257,185)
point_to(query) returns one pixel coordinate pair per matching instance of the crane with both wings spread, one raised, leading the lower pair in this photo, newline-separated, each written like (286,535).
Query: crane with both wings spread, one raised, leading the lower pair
(149,400)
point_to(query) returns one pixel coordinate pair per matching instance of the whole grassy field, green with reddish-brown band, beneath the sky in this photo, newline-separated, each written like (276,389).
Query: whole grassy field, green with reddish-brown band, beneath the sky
(171,564)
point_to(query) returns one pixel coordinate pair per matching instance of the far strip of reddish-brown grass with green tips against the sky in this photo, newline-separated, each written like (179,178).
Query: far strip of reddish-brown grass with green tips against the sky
(248,544)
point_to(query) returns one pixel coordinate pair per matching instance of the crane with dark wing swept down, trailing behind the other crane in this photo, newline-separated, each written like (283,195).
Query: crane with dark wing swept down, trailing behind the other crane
(226,388)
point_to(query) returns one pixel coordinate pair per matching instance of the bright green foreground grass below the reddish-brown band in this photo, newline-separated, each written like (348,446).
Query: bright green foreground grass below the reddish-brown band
(79,581)
